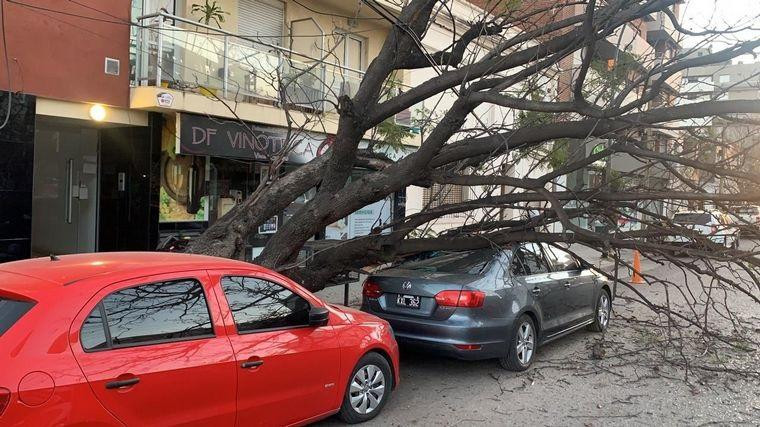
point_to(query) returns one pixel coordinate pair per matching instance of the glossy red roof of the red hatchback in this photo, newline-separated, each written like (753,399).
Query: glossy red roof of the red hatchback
(68,269)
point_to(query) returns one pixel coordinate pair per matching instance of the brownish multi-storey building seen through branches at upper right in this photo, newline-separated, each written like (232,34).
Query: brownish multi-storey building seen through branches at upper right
(630,52)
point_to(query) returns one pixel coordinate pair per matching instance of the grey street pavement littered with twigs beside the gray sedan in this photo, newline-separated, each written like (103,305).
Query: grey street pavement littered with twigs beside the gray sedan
(634,374)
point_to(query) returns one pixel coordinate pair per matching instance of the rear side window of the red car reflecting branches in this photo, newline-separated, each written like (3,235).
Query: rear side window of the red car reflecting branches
(148,314)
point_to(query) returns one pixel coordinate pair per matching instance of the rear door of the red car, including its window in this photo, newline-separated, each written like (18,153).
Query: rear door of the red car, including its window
(155,352)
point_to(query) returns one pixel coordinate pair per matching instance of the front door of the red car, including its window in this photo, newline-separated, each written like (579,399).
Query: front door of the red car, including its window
(287,370)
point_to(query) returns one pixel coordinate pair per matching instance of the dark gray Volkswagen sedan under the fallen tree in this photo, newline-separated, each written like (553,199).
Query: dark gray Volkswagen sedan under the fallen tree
(490,303)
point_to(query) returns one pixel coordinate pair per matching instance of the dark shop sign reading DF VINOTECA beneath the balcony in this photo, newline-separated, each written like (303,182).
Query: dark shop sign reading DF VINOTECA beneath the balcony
(203,136)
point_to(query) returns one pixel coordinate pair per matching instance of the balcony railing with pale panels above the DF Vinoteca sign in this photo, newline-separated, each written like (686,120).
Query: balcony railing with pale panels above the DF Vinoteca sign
(178,53)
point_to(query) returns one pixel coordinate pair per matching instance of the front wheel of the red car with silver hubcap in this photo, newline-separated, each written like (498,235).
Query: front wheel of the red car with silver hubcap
(362,389)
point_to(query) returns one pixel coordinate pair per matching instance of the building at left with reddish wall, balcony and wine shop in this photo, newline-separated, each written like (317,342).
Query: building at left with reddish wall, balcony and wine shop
(135,121)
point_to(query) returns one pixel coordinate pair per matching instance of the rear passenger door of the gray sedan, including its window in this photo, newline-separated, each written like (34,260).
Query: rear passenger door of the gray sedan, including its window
(531,270)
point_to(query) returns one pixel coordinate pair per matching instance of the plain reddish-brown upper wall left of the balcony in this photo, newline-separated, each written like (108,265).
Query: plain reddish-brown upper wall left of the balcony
(54,55)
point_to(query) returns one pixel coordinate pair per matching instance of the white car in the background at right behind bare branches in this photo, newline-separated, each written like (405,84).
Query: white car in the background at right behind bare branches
(715,225)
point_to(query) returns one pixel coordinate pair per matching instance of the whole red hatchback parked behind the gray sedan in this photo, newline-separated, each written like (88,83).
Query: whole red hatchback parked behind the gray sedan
(165,339)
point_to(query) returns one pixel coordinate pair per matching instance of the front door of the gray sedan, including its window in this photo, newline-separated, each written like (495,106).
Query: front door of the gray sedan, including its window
(578,283)
